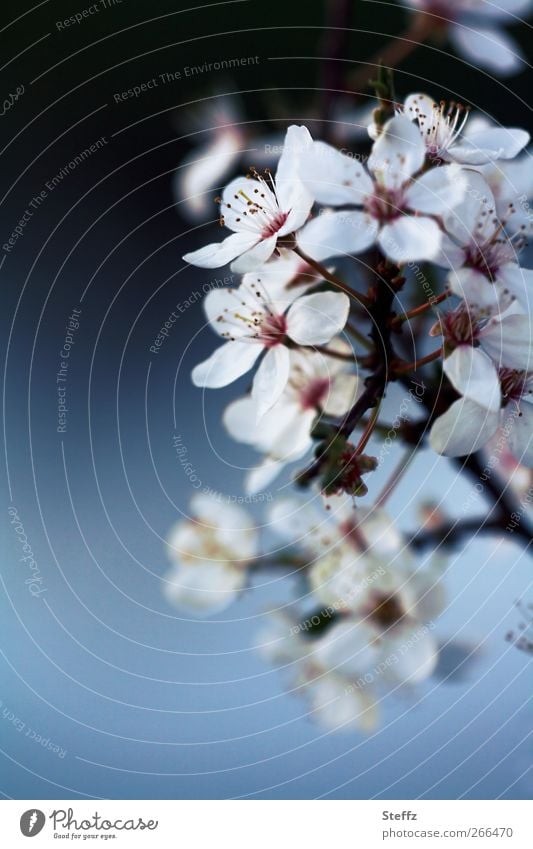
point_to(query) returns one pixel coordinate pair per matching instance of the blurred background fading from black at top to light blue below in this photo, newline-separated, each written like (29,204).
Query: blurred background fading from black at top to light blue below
(107,691)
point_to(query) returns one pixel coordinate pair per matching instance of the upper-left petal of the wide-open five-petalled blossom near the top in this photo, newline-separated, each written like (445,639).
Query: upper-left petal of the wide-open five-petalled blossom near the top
(334,178)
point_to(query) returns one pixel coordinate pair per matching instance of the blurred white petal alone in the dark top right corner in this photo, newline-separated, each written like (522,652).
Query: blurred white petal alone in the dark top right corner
(489,47)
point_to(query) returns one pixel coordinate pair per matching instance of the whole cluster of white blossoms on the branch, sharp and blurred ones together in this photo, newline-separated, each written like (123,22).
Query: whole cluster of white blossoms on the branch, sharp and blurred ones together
(439,191)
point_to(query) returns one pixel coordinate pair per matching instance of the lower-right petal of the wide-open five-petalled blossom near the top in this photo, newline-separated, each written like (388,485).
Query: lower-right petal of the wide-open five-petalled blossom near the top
(410,238)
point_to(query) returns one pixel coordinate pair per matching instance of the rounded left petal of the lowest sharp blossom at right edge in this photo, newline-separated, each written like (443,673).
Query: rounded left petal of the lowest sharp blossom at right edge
(464,428)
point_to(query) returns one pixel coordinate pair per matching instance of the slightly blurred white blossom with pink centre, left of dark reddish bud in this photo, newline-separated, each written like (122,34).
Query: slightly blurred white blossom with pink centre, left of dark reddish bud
(317,384)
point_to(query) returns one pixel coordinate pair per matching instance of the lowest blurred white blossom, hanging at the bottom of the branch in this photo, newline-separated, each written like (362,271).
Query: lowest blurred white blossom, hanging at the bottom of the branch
(328,671)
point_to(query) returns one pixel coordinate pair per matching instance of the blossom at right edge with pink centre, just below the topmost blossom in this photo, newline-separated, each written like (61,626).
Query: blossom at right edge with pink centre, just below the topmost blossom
(483,258)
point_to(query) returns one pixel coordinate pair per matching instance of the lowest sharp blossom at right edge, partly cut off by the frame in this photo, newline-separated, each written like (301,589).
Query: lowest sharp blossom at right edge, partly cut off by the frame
(469,424)
